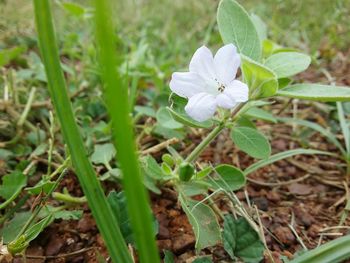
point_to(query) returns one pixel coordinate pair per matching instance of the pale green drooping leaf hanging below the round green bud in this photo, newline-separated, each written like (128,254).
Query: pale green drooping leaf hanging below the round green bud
(204,223)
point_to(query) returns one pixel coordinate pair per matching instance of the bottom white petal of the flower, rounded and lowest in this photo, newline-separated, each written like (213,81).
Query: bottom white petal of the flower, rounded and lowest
(201,106)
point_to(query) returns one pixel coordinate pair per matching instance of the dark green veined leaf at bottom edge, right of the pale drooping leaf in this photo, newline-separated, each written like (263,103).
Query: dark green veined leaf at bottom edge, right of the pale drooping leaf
(241,240)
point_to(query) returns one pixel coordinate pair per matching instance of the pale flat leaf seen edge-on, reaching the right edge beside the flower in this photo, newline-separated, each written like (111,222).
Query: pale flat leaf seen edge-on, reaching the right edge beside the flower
(316,92)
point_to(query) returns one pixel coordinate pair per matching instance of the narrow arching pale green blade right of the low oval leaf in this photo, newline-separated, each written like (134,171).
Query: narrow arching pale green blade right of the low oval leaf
(281,156)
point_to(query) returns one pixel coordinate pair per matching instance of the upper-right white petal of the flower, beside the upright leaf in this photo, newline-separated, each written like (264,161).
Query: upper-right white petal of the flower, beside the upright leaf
(227,62)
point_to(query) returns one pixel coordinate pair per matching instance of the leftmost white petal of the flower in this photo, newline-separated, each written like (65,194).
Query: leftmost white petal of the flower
(186,84)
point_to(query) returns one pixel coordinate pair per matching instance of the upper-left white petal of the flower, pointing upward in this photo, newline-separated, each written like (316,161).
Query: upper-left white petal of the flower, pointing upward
(202,63)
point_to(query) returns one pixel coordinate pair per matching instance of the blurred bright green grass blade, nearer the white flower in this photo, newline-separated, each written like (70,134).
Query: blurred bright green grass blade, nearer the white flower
(116,96)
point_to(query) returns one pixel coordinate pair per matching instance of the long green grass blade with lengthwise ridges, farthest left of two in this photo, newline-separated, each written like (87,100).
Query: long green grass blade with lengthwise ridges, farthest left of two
(101,211)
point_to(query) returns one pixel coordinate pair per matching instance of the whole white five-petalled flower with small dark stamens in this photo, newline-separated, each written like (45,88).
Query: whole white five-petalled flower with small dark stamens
(210,82)
